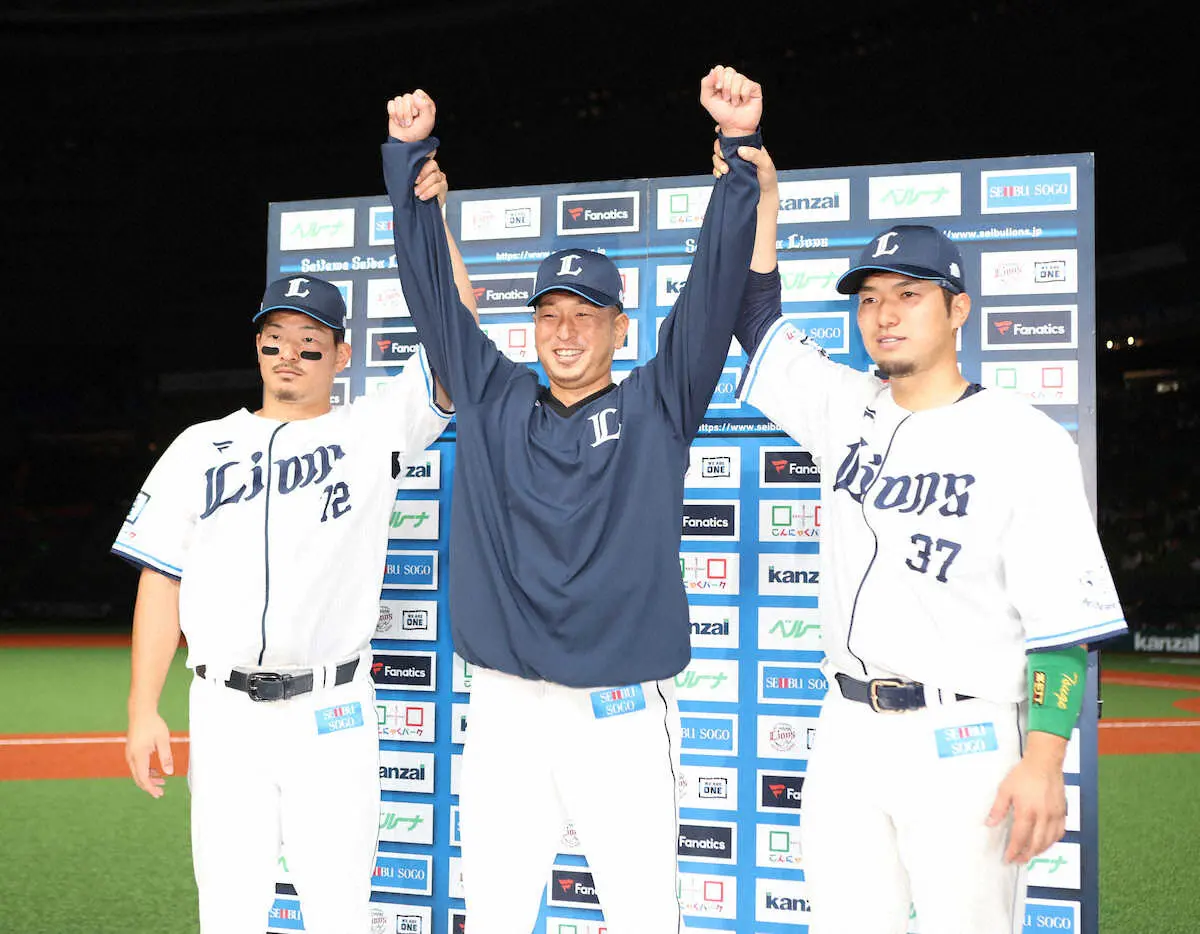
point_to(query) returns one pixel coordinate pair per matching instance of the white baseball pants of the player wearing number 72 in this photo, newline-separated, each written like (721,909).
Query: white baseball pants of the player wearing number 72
(296,774)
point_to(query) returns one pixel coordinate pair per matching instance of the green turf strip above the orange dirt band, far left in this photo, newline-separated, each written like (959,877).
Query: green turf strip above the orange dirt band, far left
(74,691)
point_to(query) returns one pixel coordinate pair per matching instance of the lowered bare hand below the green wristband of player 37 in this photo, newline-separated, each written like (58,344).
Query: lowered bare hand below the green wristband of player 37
(1034,792)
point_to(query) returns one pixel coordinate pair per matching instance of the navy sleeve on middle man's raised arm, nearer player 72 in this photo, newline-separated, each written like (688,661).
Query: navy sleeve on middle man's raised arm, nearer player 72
(466,362)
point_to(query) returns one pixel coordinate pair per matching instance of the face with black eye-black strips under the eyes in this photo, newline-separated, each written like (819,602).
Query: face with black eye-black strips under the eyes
(292,379)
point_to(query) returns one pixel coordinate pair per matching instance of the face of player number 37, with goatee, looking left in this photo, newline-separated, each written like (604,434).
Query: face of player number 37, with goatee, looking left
(909,325)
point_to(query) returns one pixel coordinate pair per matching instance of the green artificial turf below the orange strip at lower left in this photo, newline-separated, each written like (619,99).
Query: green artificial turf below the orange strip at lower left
(95,857)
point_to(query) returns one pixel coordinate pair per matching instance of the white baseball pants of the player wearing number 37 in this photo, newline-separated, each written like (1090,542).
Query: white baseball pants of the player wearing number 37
(893,816)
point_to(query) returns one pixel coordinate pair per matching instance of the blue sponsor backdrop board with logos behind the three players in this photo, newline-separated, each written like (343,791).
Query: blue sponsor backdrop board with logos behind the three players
(752,530)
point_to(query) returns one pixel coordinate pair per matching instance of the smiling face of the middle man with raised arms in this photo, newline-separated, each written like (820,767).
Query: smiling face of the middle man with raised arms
(575,343)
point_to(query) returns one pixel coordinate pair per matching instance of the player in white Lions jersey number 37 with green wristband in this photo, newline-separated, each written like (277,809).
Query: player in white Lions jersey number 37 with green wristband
(961,579)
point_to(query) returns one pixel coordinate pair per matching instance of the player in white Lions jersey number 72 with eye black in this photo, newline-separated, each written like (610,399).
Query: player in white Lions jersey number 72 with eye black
(262,536)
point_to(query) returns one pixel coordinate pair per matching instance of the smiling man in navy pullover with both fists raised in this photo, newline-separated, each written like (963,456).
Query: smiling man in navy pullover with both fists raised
(565,590)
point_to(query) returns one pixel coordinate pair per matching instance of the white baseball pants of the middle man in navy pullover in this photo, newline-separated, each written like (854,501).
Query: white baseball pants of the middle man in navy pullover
(538,755)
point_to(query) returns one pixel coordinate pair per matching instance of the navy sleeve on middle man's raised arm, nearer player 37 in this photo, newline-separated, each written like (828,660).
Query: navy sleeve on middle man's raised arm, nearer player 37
(694,342)
